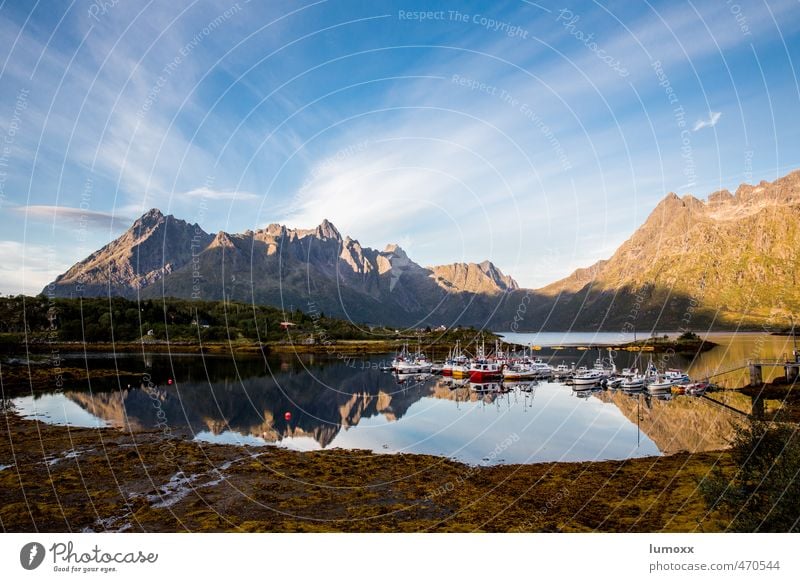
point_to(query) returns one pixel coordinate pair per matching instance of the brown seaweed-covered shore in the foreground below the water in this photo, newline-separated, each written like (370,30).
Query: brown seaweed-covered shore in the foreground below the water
(57,478)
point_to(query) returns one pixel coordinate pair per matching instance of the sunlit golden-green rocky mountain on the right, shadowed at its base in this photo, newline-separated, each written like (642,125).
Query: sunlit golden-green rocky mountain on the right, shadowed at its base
(730,260)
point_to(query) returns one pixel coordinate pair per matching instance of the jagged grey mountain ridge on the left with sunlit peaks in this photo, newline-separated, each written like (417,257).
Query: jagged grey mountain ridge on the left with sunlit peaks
(309,269)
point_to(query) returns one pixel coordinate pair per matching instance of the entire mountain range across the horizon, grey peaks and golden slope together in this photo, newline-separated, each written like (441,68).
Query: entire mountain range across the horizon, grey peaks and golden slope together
(724,262)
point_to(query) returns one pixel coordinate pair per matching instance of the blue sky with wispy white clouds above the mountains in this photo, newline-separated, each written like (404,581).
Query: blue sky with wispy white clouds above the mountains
(536,135)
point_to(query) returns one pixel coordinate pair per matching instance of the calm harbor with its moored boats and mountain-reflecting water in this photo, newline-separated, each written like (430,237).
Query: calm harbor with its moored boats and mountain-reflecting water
(571,405)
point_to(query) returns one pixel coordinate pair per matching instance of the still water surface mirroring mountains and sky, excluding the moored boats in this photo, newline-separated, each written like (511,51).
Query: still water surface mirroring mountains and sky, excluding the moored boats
(353,404)
